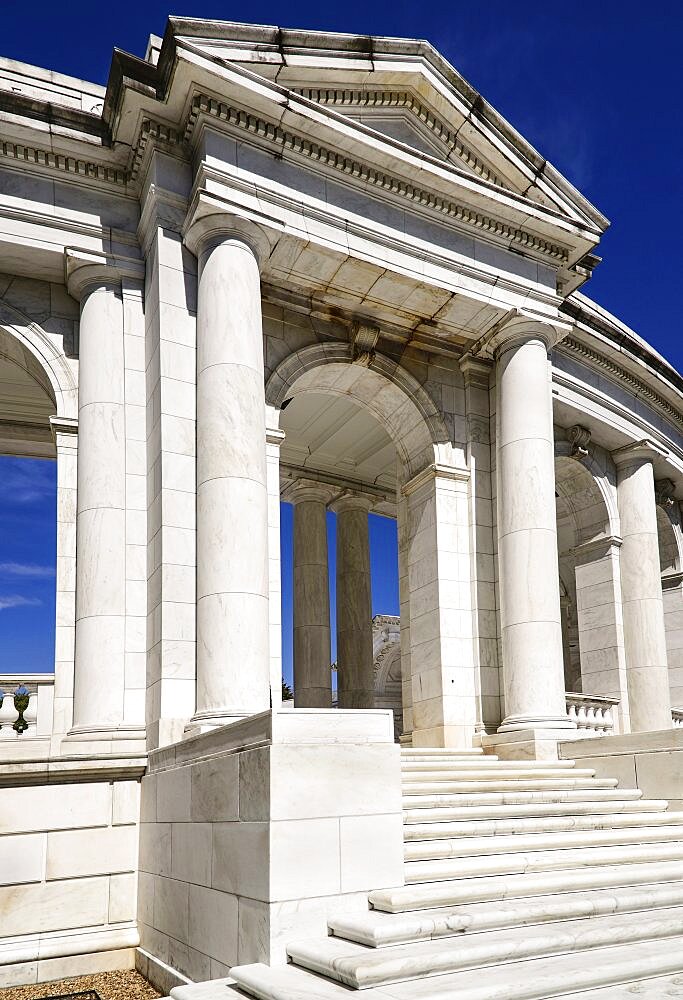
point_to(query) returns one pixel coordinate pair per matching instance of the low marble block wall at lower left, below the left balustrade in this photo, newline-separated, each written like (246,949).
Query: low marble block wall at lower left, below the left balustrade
(68,873)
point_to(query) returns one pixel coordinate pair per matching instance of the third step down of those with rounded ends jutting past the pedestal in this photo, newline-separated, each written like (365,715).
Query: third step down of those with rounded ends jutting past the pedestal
(361,968)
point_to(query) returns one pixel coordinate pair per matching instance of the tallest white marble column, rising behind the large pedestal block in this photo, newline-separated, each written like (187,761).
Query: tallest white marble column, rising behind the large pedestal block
(232,495)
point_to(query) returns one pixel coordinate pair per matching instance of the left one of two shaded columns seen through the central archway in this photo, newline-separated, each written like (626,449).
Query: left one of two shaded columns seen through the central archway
(312,673)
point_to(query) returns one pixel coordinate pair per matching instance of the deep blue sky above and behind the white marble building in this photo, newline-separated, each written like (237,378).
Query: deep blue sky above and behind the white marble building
(596,87)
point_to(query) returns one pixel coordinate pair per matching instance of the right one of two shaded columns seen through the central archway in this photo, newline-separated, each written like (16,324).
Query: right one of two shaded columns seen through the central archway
(355,678)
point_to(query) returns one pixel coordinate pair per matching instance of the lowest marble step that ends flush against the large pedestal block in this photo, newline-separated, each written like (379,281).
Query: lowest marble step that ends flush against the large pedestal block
(540,861)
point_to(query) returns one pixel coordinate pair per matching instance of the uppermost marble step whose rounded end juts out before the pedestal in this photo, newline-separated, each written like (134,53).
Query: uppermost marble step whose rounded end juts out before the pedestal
(455,892)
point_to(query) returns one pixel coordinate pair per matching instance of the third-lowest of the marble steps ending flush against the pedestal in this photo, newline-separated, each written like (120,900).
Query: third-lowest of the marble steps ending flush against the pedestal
(491,828)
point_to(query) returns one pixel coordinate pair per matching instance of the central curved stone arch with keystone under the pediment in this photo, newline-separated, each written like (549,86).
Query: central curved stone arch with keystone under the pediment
(393,396)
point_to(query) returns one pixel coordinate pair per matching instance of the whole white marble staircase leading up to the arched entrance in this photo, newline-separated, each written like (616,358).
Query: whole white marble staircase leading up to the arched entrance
(523,881)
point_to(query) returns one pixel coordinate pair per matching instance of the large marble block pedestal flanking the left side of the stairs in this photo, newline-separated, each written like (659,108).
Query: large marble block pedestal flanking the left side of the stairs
(252,833)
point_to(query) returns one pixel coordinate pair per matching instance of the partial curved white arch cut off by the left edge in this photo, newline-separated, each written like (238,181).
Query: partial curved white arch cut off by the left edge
(32,348)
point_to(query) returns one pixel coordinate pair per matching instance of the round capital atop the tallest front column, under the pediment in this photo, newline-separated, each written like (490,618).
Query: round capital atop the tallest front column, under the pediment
(210,223)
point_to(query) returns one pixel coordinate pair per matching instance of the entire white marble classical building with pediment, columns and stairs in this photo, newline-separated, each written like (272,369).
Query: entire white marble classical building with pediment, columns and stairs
(266,265)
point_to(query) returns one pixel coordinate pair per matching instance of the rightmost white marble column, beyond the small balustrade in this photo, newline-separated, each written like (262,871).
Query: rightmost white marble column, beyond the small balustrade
(641,589)
